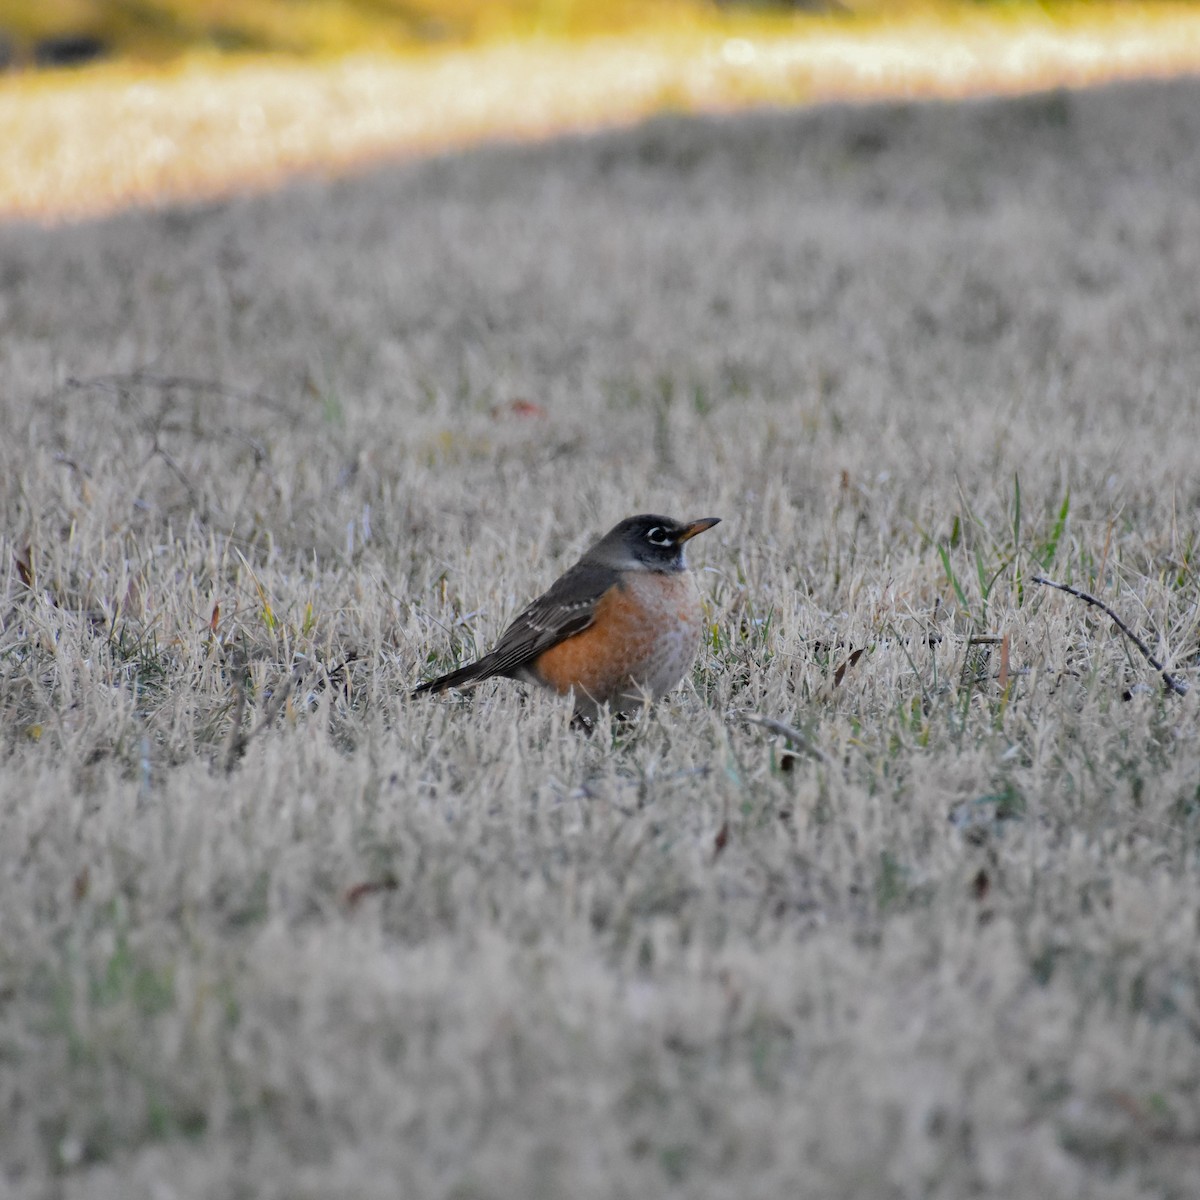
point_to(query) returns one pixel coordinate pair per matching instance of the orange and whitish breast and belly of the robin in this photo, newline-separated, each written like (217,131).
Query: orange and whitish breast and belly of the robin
(644,640)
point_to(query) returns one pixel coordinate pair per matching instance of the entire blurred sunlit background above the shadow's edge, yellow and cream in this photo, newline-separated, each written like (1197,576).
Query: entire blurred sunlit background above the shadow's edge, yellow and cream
(110,104)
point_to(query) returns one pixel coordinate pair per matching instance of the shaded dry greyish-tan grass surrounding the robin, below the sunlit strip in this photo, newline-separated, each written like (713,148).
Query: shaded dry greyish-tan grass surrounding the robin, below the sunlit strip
(958,958)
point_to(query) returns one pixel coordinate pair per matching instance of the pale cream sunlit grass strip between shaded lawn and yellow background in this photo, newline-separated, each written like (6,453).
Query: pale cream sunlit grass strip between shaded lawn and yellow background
(89,143)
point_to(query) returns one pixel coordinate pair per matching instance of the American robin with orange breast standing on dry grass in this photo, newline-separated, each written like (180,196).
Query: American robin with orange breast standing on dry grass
(623,625)
